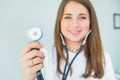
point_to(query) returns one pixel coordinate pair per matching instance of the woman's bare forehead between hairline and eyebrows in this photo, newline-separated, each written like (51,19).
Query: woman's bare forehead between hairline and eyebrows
(75,7)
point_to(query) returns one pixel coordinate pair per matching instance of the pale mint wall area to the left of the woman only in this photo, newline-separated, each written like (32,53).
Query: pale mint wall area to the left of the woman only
(16,16)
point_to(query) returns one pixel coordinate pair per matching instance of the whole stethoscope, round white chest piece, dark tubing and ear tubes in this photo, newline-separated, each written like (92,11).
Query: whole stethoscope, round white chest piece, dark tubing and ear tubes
(35,34)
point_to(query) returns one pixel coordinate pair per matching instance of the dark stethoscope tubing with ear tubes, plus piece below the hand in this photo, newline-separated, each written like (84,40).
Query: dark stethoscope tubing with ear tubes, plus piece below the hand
(65,73)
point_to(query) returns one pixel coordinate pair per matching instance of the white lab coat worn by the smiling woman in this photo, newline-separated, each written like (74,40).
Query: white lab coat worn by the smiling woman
(78,66)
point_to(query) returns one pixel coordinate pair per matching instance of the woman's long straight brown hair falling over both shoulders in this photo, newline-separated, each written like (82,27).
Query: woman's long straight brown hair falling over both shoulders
(93,48)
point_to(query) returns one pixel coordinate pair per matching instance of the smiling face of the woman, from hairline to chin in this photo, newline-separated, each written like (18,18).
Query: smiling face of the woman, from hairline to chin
(75,22)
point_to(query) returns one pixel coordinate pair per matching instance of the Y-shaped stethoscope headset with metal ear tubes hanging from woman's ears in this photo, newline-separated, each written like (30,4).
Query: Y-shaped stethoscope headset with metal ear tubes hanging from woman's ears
(67,69)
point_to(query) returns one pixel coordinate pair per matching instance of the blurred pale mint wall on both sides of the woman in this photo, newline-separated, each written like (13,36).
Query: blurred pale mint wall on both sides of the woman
(17,16)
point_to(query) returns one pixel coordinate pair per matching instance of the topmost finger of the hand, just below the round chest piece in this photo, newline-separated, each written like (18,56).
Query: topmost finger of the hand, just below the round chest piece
(30,46)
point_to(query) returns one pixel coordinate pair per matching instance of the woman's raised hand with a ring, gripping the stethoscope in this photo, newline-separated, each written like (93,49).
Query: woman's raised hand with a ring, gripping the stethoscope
(31,60)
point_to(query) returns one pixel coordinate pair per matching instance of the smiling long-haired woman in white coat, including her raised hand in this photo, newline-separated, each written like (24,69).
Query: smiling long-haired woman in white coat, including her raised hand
(75,19)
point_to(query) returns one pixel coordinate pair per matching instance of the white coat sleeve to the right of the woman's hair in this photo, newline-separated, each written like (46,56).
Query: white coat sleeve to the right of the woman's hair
(109,71)
